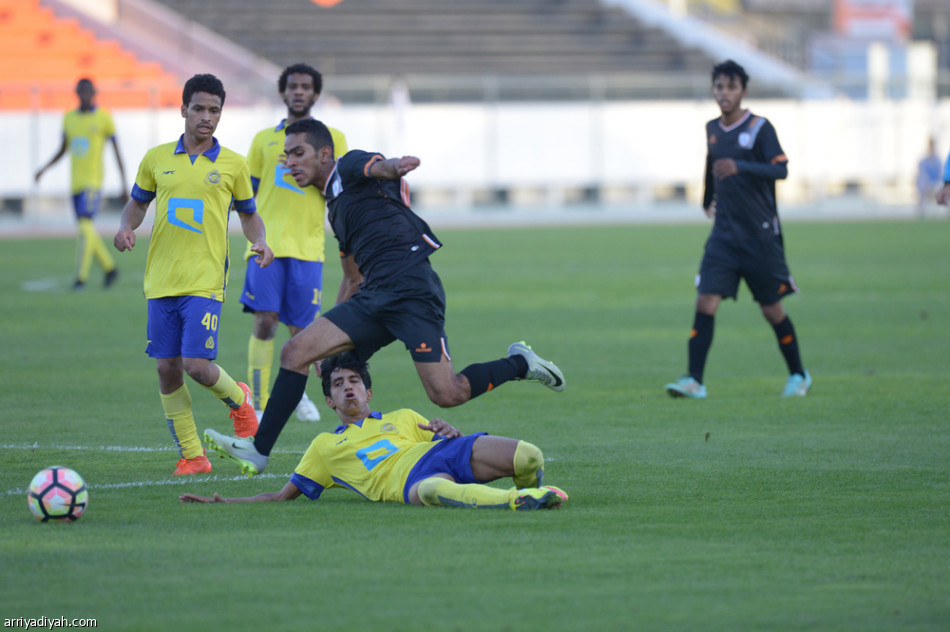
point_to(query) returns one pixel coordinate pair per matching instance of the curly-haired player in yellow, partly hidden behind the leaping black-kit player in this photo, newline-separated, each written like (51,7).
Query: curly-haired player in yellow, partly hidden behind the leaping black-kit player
(289,290)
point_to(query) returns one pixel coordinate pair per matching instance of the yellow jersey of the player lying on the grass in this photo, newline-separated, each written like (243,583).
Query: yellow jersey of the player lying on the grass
(373,457)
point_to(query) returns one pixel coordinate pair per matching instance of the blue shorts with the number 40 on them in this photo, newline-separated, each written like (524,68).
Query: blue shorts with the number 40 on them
(183,326)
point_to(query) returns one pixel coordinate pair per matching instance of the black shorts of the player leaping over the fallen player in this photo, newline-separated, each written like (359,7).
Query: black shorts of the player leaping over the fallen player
(410,308)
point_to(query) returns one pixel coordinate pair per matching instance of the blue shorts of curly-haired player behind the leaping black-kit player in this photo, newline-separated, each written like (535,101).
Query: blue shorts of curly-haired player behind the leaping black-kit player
(290,287)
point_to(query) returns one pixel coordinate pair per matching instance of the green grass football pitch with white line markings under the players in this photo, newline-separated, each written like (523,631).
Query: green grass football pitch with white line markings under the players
(742,512)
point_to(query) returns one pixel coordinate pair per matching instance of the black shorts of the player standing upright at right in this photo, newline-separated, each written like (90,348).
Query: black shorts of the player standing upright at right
(760,262)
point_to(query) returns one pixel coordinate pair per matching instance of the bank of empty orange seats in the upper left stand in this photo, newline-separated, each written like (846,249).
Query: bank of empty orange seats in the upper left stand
(45,55)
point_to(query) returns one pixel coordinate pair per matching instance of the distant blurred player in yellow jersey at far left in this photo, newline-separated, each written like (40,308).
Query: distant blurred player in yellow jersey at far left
(85,132)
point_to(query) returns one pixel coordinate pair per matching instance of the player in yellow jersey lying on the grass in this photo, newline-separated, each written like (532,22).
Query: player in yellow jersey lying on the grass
(402,457)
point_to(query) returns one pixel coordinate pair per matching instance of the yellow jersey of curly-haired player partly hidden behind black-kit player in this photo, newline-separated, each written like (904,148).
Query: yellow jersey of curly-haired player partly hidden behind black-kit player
(294,217)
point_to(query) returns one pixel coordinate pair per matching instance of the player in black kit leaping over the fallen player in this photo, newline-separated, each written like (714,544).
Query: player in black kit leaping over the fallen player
(389,291)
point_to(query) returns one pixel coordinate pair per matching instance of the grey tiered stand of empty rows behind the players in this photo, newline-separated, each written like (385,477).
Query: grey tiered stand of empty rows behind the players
(444,47)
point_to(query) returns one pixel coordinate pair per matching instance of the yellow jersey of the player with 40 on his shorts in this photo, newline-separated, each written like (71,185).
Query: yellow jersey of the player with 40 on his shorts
(188,250)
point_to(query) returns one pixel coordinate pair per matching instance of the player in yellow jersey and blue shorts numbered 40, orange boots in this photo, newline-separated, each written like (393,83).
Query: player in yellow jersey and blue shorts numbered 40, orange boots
(193,181)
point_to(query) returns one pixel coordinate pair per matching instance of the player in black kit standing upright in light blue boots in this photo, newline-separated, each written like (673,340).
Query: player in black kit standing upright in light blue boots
(743,161)
